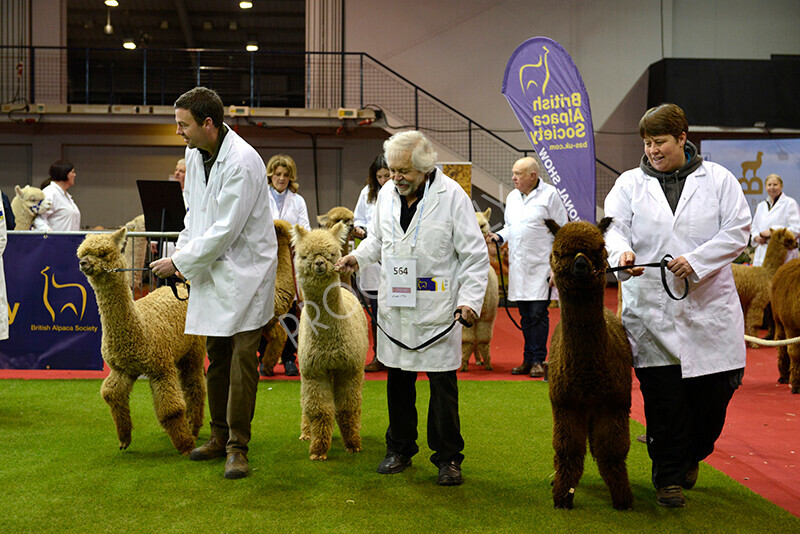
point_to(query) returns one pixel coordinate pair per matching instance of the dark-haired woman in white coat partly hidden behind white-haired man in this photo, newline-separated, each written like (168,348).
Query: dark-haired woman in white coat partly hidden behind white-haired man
(369,277)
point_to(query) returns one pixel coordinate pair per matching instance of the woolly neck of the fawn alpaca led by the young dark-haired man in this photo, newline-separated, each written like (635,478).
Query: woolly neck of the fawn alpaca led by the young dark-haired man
(117,311)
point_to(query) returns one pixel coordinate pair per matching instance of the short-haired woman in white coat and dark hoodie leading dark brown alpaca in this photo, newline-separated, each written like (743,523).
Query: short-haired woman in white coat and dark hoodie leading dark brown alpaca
(689,355)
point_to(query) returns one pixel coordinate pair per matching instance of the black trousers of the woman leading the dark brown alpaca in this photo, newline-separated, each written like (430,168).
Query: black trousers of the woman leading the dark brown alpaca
(684,417)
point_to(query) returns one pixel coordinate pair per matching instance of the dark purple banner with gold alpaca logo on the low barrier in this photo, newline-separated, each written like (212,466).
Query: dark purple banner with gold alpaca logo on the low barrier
(54,322)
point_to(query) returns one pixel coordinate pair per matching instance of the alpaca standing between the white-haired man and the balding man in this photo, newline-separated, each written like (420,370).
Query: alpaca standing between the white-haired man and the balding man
(477,338)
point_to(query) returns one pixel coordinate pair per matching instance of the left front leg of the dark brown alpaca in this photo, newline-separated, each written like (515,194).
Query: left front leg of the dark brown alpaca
(570,428)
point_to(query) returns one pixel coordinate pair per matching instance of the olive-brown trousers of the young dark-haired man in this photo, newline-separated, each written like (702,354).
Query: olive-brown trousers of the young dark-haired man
(232,384)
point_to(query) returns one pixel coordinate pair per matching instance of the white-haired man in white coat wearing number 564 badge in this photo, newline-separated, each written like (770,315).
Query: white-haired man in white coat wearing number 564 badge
(433,263)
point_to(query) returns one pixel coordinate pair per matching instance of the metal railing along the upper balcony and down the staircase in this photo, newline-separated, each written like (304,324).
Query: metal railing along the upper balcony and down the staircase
(256,79)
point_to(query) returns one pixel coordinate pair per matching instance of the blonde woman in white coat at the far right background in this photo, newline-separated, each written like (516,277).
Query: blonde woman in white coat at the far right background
(776,211)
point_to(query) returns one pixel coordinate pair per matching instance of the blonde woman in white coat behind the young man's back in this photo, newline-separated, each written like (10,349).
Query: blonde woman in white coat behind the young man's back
(290,207)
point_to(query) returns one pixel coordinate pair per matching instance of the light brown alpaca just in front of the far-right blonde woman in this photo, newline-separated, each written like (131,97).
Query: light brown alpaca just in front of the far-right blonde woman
(753,283)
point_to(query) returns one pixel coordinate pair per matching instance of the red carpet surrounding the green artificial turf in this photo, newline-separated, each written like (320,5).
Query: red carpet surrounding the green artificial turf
(759,447)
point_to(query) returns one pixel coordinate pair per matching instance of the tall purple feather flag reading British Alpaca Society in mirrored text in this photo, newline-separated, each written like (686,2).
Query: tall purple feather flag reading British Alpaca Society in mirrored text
(546,92)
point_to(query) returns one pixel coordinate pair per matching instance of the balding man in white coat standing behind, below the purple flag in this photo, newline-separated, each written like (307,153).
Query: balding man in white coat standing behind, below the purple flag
(529,245)
